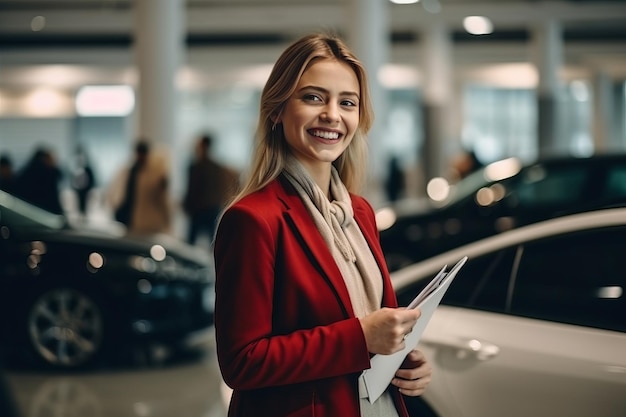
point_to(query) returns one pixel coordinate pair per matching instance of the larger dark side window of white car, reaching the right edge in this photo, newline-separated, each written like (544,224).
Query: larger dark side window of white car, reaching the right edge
(576,278)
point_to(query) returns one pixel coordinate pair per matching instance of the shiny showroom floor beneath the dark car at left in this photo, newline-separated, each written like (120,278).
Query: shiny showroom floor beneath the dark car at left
(188,386)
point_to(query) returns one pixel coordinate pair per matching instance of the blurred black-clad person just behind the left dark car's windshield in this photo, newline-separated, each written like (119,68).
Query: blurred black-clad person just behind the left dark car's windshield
(38,182)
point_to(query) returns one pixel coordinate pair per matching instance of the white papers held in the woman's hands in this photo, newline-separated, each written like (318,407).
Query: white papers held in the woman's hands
(384,367)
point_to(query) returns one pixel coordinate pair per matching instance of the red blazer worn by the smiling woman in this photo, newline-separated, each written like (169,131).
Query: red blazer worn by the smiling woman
(288,342)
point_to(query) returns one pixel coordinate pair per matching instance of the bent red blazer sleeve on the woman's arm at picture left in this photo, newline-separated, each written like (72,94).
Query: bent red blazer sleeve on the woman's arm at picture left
(250,354)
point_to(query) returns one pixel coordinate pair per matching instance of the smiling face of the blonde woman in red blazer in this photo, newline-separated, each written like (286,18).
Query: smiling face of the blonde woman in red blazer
(320,118)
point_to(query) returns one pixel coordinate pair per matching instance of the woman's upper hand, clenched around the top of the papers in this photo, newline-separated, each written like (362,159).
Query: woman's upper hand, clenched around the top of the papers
(386,328)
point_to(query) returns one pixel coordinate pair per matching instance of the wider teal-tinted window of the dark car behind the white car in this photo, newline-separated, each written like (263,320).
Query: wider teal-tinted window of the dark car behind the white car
(542,186)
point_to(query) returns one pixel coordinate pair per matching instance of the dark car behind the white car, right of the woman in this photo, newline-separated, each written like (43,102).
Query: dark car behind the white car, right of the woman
(499,197)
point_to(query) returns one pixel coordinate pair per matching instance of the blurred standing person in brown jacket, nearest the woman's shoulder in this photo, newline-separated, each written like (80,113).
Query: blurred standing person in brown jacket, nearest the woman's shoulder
(209,186)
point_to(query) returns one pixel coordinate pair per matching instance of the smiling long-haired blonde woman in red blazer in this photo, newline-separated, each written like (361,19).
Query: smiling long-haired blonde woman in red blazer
(303,296)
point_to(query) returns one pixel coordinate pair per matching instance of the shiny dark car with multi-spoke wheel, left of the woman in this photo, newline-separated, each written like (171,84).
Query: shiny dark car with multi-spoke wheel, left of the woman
(71,295)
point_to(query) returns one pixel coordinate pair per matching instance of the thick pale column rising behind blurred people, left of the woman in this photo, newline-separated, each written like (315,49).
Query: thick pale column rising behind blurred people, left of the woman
(159,42)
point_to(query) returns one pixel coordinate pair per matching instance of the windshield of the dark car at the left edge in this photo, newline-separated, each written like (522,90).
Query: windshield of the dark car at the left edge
(19,213)
